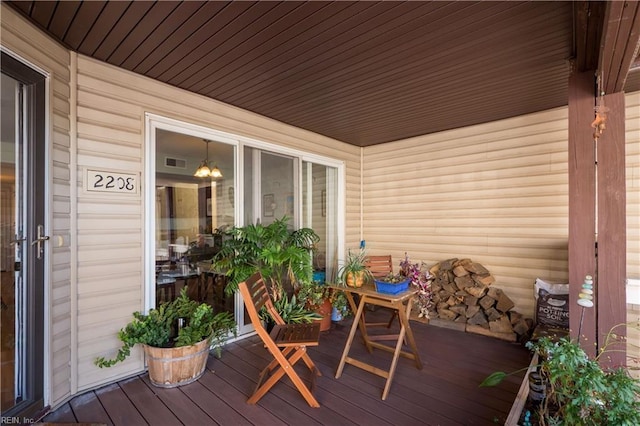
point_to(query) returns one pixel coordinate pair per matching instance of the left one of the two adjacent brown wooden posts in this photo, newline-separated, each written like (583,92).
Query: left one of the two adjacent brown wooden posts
(582,204)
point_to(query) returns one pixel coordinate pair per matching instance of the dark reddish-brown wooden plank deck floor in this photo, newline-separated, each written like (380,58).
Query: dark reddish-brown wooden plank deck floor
(444,392)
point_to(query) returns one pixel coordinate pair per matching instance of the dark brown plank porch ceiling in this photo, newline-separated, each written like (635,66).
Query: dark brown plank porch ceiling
(361,72)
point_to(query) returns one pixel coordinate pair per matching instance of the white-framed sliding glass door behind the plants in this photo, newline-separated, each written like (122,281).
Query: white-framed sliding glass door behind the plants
(253,183)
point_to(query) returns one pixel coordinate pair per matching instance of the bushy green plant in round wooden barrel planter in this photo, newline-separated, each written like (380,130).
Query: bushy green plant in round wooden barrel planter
(176,338)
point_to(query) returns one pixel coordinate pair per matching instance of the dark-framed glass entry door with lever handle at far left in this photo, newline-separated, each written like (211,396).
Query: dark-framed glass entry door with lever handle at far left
(21,263)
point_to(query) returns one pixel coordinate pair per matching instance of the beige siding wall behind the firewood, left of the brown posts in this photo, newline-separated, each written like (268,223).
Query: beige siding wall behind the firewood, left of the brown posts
(495,193)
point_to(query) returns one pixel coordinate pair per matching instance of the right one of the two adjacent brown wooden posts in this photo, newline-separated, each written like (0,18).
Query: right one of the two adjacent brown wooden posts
(612,237)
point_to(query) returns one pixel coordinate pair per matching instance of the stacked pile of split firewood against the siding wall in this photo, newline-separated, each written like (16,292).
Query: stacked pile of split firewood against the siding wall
(464,298)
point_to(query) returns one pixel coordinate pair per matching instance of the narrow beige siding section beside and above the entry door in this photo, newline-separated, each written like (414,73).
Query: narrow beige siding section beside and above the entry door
(30,44)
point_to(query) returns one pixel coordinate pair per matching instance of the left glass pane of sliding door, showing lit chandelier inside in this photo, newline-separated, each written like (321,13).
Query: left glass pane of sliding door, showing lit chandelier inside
(191,213)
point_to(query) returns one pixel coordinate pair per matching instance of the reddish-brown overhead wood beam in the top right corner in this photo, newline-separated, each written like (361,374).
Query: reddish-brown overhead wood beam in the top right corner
(620,43)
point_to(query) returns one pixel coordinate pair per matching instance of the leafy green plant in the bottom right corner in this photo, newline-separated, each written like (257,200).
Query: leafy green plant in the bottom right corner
(575,389)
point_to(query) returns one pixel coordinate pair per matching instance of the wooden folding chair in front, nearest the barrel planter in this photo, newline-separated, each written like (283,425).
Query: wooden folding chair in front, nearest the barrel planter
(286,342)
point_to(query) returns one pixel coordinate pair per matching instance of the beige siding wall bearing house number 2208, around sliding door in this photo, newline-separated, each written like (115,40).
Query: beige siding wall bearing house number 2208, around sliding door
(111,108)
